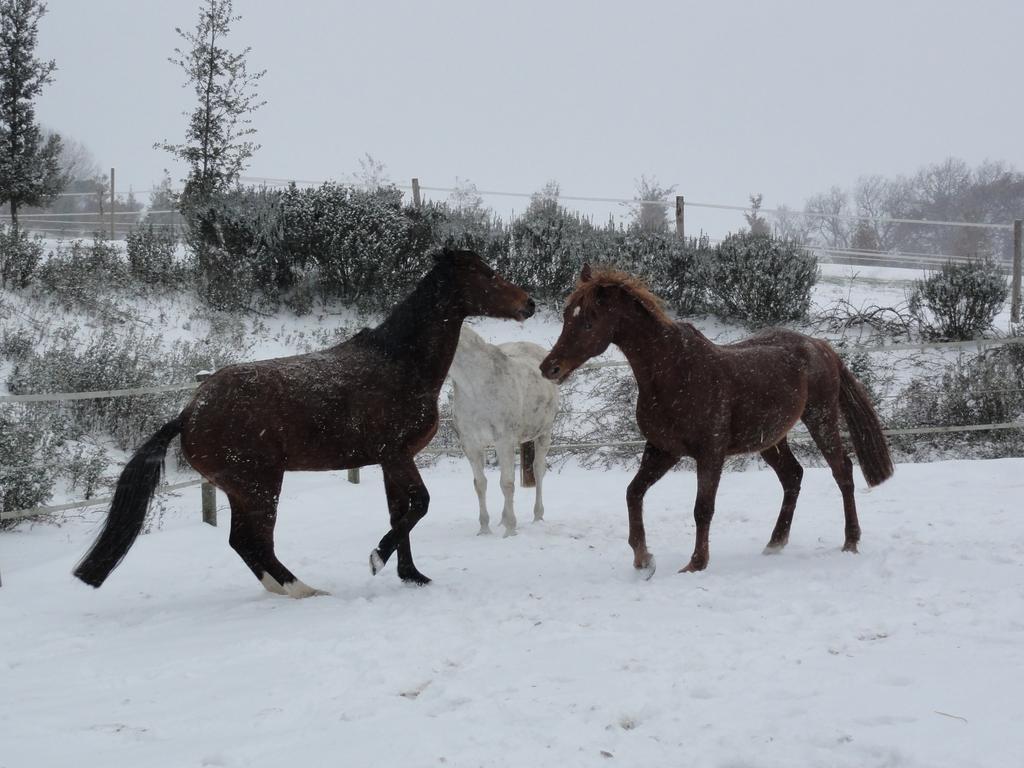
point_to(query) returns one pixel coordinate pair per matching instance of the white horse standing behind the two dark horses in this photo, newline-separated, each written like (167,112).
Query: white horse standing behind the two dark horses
(501,400)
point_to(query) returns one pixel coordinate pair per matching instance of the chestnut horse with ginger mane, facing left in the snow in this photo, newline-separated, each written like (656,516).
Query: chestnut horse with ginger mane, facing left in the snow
(709,402)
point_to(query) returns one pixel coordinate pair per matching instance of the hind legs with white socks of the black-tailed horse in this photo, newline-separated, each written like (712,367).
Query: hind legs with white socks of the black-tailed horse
(254,515)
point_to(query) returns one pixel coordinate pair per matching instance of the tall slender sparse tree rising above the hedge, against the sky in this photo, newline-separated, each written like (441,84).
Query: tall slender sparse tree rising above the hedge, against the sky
(217,148)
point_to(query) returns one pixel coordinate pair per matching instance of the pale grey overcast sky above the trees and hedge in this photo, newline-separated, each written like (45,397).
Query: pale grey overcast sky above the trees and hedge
(721,99)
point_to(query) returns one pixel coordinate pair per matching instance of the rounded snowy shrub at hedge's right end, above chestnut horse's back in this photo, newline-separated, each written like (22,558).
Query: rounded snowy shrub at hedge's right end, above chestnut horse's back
(761,280)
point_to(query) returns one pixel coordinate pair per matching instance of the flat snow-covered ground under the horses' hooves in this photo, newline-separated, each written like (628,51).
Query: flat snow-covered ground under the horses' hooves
(543,650)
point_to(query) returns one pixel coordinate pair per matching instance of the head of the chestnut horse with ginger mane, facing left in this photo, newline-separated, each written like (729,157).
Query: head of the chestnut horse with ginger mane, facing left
(588,327)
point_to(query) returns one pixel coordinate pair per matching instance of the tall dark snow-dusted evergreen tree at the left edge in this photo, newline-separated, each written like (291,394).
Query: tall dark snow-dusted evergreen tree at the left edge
(30,164)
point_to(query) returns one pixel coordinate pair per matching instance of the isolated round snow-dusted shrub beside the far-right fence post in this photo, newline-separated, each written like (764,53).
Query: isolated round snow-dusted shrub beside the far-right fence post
(960,301)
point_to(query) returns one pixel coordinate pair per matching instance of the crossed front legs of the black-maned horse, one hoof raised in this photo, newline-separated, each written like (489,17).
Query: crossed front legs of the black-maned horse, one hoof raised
(408,502)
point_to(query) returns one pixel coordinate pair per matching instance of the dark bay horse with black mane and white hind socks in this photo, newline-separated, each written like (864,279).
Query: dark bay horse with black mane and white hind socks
(372,400)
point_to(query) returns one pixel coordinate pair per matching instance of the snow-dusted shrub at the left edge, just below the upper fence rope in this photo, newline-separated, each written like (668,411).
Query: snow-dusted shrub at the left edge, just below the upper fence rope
(26,478)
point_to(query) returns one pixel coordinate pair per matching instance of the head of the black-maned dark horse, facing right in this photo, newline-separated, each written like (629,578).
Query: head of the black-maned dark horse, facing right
(483,291)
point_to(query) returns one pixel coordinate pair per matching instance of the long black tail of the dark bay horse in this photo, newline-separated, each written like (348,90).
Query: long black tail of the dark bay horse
(132,501)
